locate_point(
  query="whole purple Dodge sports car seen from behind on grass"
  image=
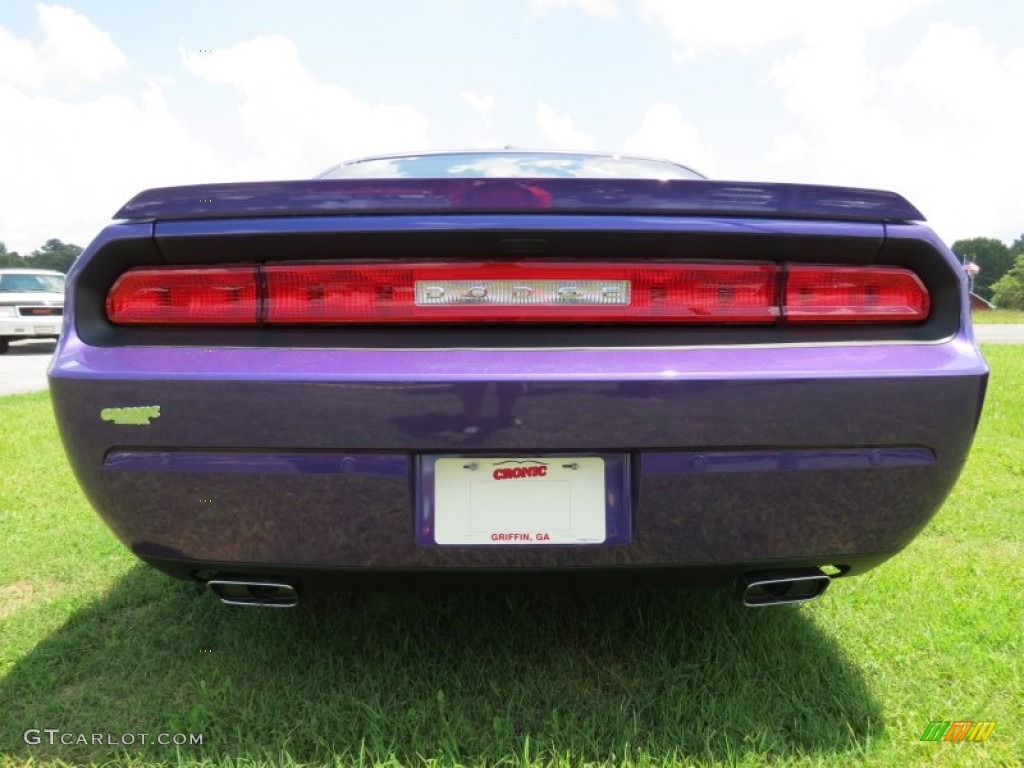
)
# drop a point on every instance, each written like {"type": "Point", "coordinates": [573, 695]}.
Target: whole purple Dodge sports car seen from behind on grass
{"type": "Point", "coordinates": [523, 366]}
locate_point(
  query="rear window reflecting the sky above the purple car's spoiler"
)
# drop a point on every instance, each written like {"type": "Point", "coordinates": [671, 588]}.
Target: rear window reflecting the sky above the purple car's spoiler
{"type": "Point", "coordinates": [511, 165]}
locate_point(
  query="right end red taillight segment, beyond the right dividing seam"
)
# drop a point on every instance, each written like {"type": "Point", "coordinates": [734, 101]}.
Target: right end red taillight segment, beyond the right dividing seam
{"type": "Point", "coordinates": [872, 294]}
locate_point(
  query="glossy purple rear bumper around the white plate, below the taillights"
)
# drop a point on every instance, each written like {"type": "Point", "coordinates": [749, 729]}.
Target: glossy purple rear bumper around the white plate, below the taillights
{"type": "Point", "coordinates": [272, 461]}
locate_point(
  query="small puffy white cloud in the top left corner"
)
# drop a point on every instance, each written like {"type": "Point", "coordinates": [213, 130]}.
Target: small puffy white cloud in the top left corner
{"type": "Point", "coordinates": [73, 52]}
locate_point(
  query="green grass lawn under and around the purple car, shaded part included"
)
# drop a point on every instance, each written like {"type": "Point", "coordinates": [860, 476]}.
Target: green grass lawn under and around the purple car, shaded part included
{"type": "Point", "coordinates": [93, 643]}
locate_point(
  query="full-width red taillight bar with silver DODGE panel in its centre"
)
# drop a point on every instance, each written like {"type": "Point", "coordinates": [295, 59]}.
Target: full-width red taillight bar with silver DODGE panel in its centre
{"type": "Point", "coordinates": [516, 292]}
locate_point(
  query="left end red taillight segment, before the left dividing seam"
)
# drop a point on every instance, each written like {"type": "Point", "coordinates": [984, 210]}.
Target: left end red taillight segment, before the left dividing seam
{"type": "Point", "coordinates": [186, 296]}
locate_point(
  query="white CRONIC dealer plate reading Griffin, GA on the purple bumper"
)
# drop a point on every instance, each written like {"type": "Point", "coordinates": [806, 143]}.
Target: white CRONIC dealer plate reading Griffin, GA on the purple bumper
{"type": "Point", "coordinates": [520, 502]}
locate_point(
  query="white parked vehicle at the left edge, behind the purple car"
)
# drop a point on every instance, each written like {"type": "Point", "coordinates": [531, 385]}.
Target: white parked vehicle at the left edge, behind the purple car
{"type": "Point", "coordinates": [31, 306]}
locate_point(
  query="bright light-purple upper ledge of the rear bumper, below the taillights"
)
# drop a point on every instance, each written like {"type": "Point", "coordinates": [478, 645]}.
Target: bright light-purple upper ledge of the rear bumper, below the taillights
{"type": "Point", "coordinates": [77, 361]}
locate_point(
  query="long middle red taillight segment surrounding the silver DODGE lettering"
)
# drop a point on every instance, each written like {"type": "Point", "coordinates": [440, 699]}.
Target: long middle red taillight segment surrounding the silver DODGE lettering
{"type": "Point", "coordinates": [522, 292]}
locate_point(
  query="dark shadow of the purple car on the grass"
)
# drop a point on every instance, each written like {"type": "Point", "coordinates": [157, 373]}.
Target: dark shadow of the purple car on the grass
{"type": "Point", "coordinates": [475, 678]}
